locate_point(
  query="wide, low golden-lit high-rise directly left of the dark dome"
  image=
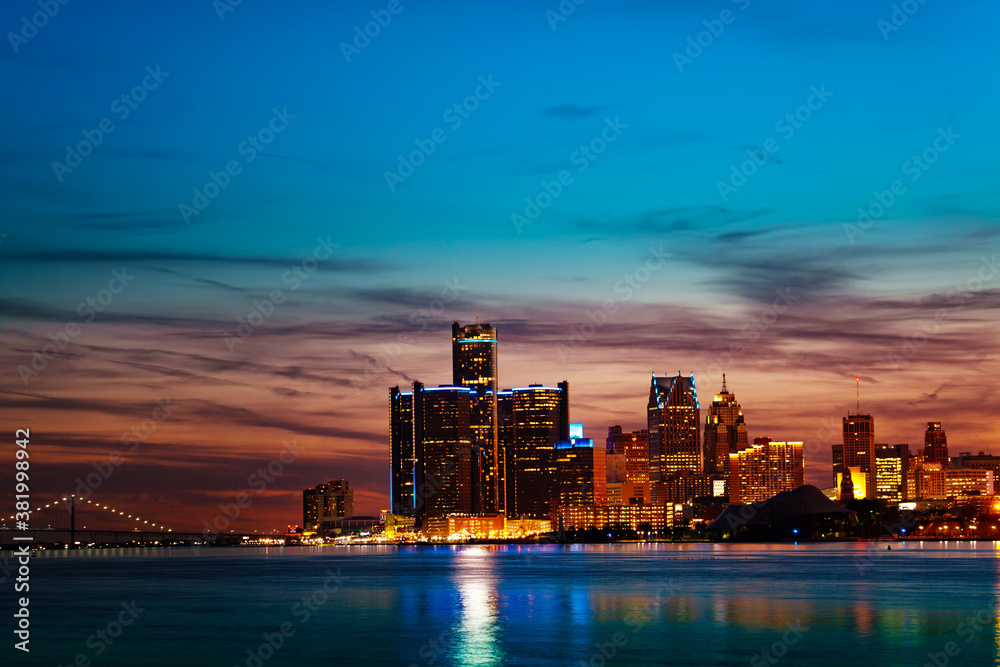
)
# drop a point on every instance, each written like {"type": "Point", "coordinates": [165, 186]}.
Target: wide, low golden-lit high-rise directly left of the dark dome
{"type": "Point", "coordinates": [764, 469]}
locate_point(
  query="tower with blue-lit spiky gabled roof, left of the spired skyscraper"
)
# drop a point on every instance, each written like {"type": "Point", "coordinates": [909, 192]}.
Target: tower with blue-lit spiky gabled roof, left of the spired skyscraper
{"type": "Point", "coordinates": [674, 418]}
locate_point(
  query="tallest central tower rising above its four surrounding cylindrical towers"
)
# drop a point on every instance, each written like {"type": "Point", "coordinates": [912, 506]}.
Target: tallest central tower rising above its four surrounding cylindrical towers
{"type": "Point", "coordinates": [474, 365]}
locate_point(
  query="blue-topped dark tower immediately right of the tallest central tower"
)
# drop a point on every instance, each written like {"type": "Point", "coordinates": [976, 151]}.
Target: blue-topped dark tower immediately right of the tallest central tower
{"type": "Point", "coordinates": [539, 419]}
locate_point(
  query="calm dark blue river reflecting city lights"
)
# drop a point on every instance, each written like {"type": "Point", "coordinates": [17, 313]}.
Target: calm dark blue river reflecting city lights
{"type": "Point", "coordinates": [544, 605]}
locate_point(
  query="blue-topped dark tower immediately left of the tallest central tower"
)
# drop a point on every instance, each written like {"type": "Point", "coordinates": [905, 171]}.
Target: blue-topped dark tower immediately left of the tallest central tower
{"type": "Point", "coordinates": [442, 436]}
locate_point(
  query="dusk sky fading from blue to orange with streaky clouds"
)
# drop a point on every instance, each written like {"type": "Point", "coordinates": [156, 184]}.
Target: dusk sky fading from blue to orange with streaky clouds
{"type": "Point", "coordinates": [585, 169]}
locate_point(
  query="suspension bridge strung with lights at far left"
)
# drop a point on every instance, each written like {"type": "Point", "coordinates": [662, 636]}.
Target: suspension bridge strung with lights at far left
{"type": "Point", "coordinates": [73, 521]}
